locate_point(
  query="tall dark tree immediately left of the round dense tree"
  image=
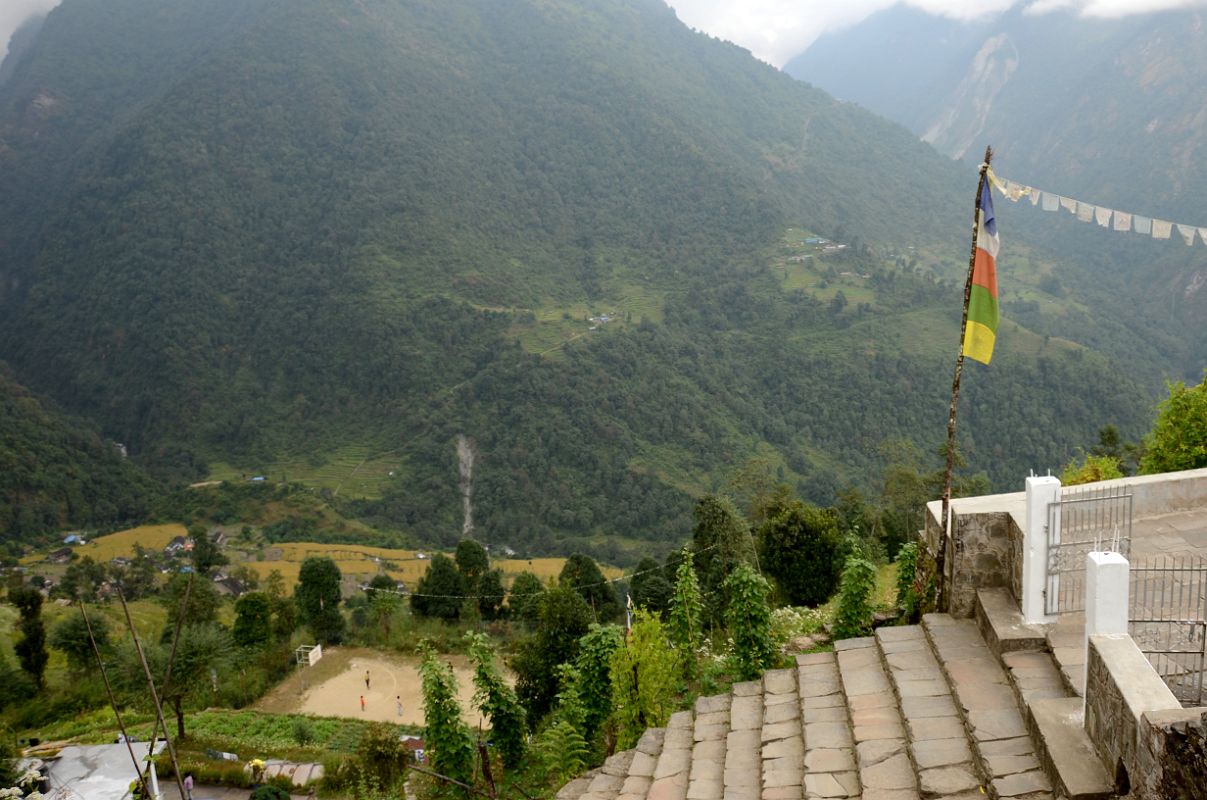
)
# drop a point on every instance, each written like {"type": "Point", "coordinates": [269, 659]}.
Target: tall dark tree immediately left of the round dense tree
{"type": "Point", "coordinates": [721, 541]}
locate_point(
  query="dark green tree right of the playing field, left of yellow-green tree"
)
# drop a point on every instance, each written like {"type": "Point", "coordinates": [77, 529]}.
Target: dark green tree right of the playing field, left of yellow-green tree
{"type": "Point", "coordinates": [565, 618]}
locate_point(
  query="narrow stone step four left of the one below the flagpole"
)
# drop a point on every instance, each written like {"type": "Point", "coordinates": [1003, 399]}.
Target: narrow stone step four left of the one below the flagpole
{"type": "Point", "coordinates": [783, 738]}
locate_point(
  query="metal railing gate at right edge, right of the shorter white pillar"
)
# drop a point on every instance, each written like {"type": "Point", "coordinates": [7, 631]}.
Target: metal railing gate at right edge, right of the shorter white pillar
{"type": "Point", "coordinates": [1169, 623]}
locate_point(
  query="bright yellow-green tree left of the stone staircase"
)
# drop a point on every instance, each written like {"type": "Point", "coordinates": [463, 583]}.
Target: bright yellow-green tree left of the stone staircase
{"type": "Point", "coordinates": [644, 680]}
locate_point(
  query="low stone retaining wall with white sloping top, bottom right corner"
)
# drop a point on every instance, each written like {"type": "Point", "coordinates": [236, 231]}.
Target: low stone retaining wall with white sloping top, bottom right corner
{"type": "Point", "coordinates": [1139, 728]}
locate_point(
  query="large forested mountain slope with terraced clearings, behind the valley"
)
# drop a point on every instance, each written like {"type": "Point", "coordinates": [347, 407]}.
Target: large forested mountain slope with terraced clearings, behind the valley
{"type": "Point", "coordinates": [244, 230]}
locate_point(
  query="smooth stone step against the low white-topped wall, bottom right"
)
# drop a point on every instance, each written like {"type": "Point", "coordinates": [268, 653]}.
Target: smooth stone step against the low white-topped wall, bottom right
{"type": "Point", "coordinates": [1066, 750]}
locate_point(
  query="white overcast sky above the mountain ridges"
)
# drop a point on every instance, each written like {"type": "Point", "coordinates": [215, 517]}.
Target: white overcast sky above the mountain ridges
{"type": "Point", "coordinates": [774, 31]}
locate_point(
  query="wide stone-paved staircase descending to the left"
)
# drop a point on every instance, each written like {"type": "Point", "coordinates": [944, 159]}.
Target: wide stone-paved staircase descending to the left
{"type": "Point", "coordinates": [924, 713]}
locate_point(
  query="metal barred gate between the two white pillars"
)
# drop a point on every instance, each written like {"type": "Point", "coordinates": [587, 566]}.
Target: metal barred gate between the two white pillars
{"type": "Point", "coordinates": [1082, 522]}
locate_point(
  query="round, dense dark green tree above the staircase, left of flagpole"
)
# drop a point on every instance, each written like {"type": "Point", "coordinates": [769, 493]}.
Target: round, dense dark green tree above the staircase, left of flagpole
{"type": "Point", "coordinates": [802, 548]}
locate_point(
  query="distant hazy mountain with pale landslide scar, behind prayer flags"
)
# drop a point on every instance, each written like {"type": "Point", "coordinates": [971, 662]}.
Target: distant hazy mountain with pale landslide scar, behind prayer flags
{"type": "Point", "coordinates": [1109, 112]}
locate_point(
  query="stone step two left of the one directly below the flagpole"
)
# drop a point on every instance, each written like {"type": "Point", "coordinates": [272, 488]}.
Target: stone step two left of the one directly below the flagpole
{"type": "Point", "coordinates": [877, 729]}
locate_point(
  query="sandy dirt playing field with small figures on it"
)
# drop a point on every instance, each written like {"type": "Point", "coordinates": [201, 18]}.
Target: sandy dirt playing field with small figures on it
{"type": "Point", "coordinates": [334, 688]}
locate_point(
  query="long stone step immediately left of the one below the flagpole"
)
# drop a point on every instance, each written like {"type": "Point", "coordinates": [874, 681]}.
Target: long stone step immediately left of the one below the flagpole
{"type": "Point", "coordinates": [938, 741]}
